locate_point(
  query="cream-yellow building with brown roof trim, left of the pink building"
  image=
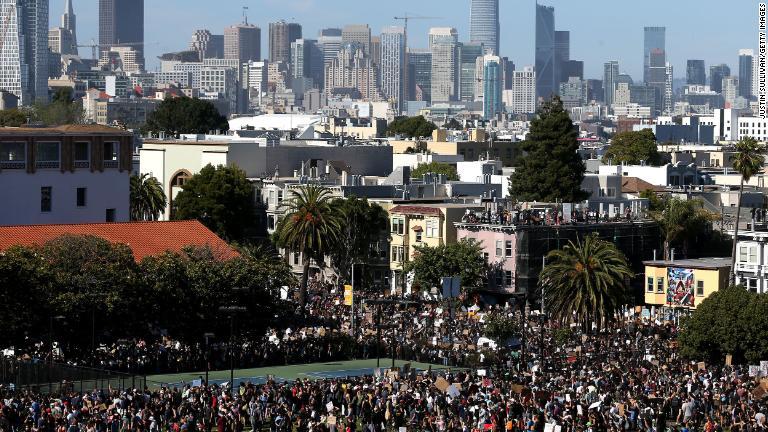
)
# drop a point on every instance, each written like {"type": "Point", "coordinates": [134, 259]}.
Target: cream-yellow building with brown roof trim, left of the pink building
{"type": "Point", "coordinates": [420, 225]}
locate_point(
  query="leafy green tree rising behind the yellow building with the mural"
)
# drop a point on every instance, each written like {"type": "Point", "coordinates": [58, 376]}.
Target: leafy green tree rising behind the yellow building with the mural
{"type": "Point", "coordinates": [681, 222]}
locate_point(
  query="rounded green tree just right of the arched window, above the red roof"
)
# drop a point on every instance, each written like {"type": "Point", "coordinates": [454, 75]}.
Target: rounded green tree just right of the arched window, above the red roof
{"type": "Point", "coordinates": [221, 198]}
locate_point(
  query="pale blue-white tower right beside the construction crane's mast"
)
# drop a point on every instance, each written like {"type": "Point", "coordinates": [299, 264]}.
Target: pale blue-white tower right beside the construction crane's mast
{"type": "Point", "coordinates": [393, 65]}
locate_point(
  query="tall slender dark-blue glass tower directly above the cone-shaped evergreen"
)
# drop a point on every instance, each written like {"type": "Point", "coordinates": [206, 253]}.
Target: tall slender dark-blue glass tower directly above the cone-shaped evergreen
{"type": "Point", "coordinates": [546, 80]}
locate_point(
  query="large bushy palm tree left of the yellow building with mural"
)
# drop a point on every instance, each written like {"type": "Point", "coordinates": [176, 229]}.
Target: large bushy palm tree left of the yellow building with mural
{"type": "Point", "coordinates": [585, 282]}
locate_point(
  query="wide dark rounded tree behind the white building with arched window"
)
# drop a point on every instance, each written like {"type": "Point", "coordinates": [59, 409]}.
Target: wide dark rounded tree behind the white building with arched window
{"type": "Point", "coordinates": [185, 115]}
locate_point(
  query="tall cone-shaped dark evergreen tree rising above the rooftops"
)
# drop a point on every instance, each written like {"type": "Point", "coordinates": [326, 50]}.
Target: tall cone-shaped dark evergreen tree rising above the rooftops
{"type": "Point", "coordinates": [550, 168]}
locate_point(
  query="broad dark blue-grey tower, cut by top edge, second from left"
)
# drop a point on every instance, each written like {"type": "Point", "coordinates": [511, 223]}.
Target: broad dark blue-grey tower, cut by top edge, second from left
{"type": "Point", "coordinates": [121, 22]}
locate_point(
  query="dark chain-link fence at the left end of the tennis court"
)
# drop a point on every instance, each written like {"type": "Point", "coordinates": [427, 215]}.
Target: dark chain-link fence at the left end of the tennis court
{"type": "Point", "coordinates": [57, 378]}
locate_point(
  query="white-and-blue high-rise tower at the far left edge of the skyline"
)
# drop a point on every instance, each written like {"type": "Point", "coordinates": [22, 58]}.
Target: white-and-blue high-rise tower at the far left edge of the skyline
{"type": "Point", "coordinates": [24, 49]}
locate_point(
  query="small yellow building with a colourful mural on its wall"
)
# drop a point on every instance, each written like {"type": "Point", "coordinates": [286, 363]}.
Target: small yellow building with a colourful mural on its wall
{"type": "Point", "coordinates": [684, 284]}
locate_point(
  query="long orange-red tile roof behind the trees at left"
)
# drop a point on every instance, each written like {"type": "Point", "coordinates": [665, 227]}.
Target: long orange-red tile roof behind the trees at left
{"type": "Point", "coordinates": [144, 238]}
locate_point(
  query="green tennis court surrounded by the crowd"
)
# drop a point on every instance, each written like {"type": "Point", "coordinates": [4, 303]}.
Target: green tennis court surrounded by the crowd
{"type": "Point", "coordinates": [285, 373]}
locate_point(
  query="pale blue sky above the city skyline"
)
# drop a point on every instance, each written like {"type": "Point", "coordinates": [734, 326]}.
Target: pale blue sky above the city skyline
{"type": "Point", "coordinates": [601, 30]}
